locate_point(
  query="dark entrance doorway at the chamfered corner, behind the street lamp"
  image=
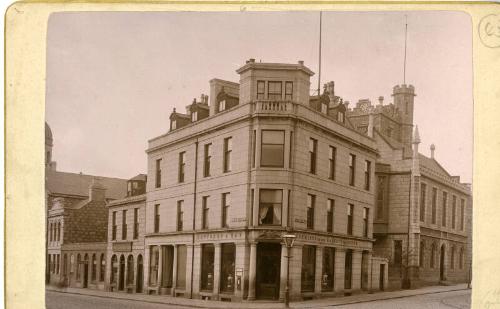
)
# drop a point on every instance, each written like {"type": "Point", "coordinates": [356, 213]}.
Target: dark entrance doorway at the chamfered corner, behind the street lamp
{"type": "Point", "coordinates": [268, 271]}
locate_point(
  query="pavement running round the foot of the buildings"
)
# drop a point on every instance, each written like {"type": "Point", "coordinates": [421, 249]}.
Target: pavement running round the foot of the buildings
{"type": "Point", "coordinates": [316, 303]}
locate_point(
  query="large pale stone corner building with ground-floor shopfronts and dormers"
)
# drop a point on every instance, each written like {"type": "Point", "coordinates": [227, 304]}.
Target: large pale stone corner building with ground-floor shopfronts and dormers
{"type": "Point", "coordinates": [233, 174]}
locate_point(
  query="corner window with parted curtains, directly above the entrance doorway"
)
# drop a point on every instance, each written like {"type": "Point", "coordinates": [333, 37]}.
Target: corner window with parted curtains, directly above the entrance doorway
{"type": "Point", "coordinates": [270, 205]}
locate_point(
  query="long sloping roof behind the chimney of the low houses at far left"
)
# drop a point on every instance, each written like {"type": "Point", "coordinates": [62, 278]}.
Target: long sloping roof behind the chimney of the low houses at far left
{"type": "Point", "coordinates": [78, 184]}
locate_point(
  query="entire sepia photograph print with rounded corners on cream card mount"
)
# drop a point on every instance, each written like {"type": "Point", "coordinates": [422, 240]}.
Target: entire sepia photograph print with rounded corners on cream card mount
{"type": "Point", "coordinates": [268, 159]}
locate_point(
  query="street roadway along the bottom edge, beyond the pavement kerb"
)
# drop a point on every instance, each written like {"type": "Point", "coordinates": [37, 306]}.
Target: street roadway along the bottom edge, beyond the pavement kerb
{"type": "Point", "coordinates": [454, 299]}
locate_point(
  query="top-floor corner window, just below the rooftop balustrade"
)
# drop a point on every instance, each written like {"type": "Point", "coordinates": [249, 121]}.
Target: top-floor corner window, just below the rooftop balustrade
{"type": "Point", "coordinates": [272, 148]}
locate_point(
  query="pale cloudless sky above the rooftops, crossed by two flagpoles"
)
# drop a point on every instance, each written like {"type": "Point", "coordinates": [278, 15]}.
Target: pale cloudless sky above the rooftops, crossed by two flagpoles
{"type": "Point", "coordinates": [114, 78]}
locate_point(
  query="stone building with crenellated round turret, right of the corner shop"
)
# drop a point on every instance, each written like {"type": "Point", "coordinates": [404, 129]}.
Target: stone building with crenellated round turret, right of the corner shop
{"type": "Point", "coordinates": [423, 215]}
